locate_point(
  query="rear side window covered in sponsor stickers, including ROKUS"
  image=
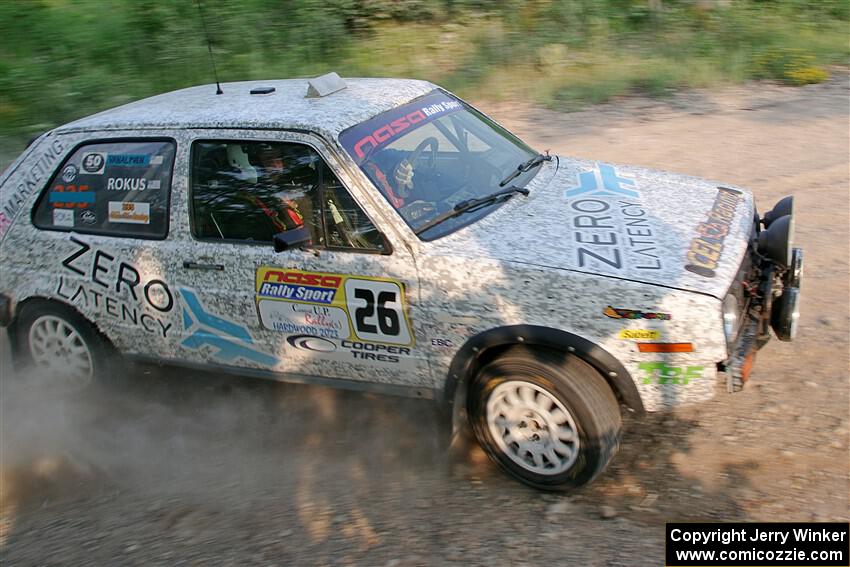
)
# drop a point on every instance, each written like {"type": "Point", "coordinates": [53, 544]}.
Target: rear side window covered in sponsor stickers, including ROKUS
{"type": "Point", "coordinates": [111, 188]}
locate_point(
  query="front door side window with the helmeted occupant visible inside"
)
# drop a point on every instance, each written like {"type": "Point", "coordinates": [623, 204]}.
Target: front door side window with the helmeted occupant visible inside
{"type": "Point", "coordinates": [248, 191]}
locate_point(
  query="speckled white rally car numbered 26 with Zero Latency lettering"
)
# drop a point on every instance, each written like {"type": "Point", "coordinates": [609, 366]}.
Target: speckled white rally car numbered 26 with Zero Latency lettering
{"type": "Point", "coordinates": [384, 235]}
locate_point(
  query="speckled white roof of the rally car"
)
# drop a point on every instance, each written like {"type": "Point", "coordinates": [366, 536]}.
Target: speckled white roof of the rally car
{"type": "Point", "coordinates": [285, 108]}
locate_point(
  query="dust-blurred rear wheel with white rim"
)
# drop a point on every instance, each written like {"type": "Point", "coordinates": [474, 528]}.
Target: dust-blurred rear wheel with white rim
{"type": "Point", "coordinates": [64, 346]}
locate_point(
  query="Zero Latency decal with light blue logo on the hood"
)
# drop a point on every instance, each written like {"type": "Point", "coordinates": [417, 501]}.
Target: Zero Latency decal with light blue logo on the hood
{"type": "Point", "coordinates": [611, 228]}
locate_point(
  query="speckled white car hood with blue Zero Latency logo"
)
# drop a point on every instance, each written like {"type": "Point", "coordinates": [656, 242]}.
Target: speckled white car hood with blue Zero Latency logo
{"type": "Point", "coordinates": [621, 221]}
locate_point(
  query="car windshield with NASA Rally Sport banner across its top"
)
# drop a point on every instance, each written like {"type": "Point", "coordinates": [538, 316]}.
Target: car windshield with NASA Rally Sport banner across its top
{"type": "Point", "coordinates": [427, 156]}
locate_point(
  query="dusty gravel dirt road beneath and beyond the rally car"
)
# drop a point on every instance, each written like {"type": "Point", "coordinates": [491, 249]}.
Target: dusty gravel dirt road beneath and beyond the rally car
{"type": "Point", "coordinates": [195, 470]}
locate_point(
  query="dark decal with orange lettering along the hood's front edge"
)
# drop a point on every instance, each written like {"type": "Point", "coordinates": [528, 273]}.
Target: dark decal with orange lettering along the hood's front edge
{"type": "Point", "coordinates": [704, 253]}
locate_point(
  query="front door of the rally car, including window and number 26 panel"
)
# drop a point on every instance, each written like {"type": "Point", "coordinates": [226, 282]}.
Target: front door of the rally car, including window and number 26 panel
{"type": "Point", "coordinates": [338, 304]}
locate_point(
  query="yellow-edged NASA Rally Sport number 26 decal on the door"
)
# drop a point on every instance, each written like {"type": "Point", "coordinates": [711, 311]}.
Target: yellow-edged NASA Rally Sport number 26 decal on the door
{"type": "Point", "coordinates": [333, 306]}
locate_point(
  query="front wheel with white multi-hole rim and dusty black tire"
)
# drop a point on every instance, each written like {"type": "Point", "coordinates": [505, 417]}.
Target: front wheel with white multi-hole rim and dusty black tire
{"type": "Point", "coordinates": [550, 420]}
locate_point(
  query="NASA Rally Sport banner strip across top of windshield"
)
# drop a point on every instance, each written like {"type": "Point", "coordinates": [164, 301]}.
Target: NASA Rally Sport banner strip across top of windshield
{"type": "Point", "coordinates": [362, 140]}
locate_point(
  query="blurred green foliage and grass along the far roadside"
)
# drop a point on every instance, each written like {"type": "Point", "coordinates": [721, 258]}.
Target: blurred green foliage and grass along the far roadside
{"type": "Point", "coordinates": [62, 59]}
